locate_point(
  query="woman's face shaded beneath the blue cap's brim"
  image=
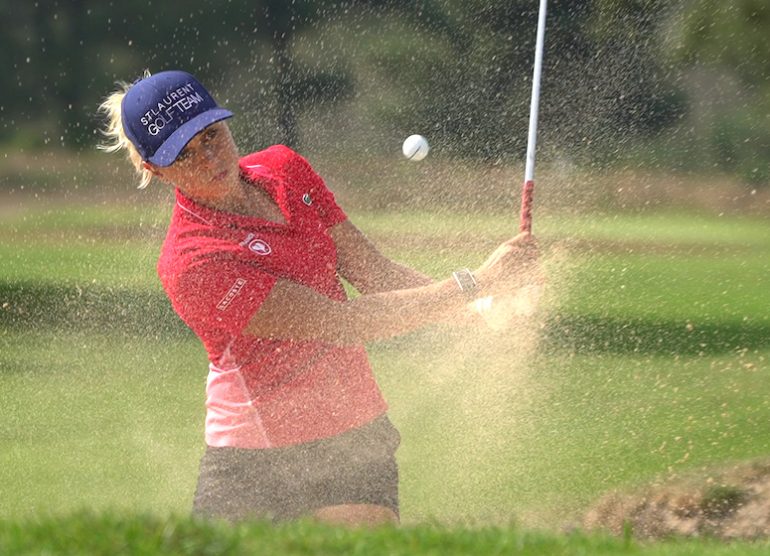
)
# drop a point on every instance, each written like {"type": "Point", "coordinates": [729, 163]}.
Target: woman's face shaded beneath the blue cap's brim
{"type": "Point", "coordinates": [208, 161]}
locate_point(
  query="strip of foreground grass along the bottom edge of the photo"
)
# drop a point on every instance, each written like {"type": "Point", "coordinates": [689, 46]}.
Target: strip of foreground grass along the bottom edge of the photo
{"type": "Point", "coordinates": [109, 534]}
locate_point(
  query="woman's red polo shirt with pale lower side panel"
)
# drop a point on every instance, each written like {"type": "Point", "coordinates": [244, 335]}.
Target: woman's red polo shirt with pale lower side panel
{"type": "Point", "coordinates": [217, 268]}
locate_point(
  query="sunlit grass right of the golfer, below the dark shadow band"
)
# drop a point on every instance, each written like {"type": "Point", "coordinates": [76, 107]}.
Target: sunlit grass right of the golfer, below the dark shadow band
{"type": "Point", "coordinates": [538, 439]}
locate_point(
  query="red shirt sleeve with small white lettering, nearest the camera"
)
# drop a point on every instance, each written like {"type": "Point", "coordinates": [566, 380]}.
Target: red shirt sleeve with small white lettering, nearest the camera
{"type": "Point", "coordinates": [222, 295]}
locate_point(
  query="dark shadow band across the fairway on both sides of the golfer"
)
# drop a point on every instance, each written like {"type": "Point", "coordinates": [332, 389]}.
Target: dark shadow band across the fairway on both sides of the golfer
{"type": "Point", "coordinates": [143, 313]}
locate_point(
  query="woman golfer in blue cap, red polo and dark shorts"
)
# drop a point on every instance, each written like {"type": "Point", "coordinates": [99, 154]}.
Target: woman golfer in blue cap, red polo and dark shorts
{"type": "Point", "coordinates": [295, 423]}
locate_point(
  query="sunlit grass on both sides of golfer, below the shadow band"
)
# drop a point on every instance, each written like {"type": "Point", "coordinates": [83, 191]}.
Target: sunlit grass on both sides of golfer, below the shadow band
{"type": "Point", "coordinates": [89, 417]}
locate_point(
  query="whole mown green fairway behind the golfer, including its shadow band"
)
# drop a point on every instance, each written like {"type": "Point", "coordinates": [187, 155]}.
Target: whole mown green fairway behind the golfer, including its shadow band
{"type": "Point", "coordinates": [650, 361]}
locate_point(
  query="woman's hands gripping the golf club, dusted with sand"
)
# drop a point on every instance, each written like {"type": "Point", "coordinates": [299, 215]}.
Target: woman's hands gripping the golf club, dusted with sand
{"type": "Point", "coordinates": [511, 266]}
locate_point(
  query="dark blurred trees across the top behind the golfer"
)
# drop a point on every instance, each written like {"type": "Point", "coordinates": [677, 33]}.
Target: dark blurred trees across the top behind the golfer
{"type": "Point", "coordinates": [681, 84]}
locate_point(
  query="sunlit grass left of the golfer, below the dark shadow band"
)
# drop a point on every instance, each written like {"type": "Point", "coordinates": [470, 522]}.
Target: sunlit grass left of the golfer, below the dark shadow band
{"type": "Point", "coordinates": [89, 417]}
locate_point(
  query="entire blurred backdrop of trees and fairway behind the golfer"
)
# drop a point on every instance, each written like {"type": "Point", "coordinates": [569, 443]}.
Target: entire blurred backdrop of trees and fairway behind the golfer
{"type": "Point", "coordinates": [648, 359]}
